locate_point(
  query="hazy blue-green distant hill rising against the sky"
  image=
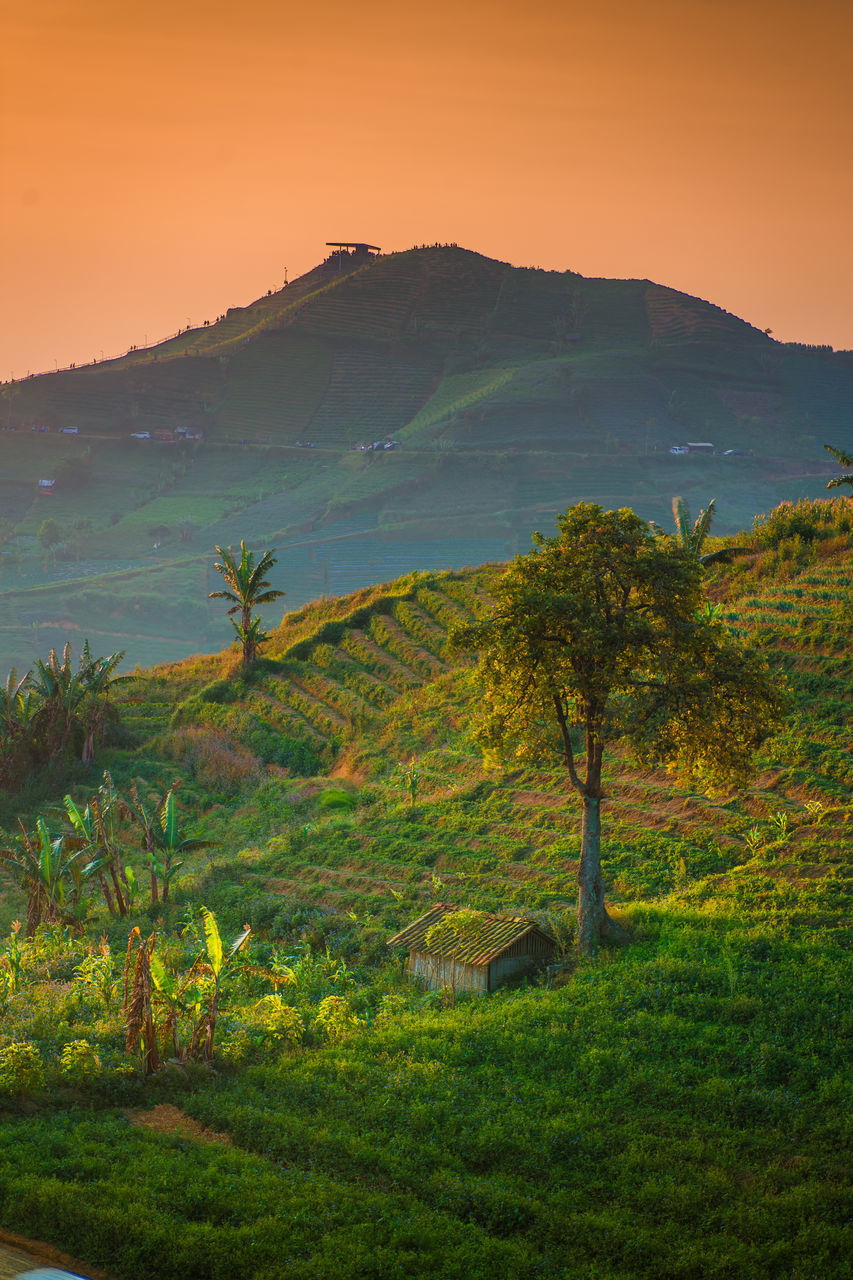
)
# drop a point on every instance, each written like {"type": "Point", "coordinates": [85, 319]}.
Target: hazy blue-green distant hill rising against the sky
{"type": "Point", "coordinates": [512, 392]}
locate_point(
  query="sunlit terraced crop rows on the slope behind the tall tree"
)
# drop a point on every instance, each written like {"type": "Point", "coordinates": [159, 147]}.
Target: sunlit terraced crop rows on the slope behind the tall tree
{"type": "Point", "coordinates": [350, 688]}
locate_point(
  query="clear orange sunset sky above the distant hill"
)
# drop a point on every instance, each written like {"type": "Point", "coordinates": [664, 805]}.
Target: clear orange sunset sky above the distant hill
{"type": "Point", "coordinates": [166, 161]}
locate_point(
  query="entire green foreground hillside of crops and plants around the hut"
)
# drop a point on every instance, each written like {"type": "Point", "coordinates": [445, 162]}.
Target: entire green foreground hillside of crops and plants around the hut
{"type": "Point", "coordinates": [678, 1108]}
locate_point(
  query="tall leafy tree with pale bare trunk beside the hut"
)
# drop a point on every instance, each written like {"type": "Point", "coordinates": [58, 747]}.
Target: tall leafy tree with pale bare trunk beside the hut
{"type": "Point", "coordinates": [603, 629]}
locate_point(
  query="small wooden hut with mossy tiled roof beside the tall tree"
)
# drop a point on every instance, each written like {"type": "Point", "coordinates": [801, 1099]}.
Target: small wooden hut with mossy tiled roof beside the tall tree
{"type": "Point", "coordinates": [467, 950]}
